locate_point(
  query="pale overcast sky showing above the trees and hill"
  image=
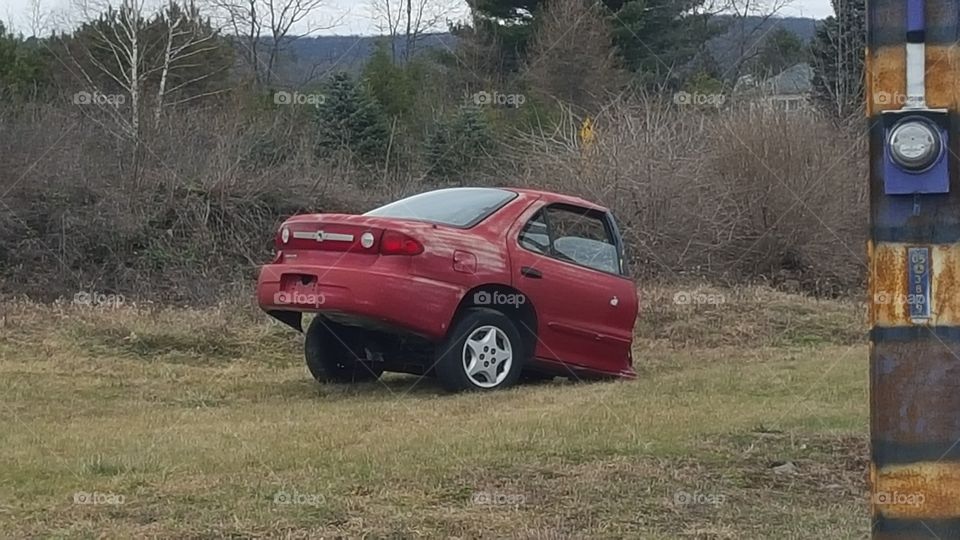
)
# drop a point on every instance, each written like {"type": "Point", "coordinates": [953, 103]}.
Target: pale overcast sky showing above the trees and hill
{"type": "Point", "coordinates": [355, 16]}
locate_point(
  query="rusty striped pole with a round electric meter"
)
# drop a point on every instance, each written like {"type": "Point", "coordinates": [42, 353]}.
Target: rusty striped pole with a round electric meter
{"type": "Point", "coordinates": [914, 250]}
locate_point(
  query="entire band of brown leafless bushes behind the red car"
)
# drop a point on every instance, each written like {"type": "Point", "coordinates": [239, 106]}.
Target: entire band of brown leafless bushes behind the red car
{"type": "Point", "coordinates": [731, 196]}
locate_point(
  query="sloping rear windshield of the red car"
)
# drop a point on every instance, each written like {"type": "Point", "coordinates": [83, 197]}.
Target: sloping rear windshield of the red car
{"type": "Point", "coordinates": [457, 207]}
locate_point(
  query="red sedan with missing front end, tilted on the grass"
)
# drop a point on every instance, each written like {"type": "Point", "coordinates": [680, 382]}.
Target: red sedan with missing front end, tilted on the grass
{"type": "Point", "coordinates": [475, 286]}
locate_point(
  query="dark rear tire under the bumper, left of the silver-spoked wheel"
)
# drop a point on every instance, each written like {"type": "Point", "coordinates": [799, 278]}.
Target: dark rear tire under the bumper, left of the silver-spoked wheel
{"type": "Point", "coordinates": [339, 354]}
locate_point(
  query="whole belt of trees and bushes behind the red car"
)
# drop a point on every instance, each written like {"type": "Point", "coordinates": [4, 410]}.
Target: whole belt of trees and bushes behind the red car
{"type": "Point", "coordinates": [141, 144]}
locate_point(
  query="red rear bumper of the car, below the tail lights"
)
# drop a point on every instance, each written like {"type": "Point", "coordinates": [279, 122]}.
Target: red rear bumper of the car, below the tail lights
{"type": "Point", "coordinates": [418, 305]}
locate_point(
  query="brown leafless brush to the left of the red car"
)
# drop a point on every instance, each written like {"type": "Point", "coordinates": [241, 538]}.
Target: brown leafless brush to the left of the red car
{"type": "Point", "coordinates": [197, 219]}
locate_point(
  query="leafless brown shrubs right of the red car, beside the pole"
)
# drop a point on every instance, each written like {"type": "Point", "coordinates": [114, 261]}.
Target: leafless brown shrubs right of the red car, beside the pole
{"type": "Point", "coordinates": [734, 195]}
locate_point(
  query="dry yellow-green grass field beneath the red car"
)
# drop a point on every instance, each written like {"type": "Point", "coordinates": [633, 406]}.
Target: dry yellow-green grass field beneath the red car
{"type": "Point", "coordinates": [748, 420]}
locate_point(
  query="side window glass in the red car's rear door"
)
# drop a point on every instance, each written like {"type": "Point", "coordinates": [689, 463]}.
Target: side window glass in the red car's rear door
{"type": "Point", "coordinates": [574, 235]}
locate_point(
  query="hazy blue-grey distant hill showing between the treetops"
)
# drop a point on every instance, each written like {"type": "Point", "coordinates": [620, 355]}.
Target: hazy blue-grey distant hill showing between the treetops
{"type": "Point", "coordinates": [310, 58]}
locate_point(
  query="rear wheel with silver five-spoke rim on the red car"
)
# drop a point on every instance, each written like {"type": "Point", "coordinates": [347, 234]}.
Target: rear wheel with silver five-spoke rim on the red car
{"type": "Point", "coordinates": [483, 351]}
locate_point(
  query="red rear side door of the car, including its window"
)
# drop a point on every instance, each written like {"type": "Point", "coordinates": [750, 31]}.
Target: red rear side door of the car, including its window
{"type": "Point", "coordinates": [567, 261]}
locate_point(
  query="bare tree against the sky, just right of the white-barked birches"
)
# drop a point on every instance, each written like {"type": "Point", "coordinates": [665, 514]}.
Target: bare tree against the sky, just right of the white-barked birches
{"type": "Point", "coordinates": [271, 24]}
